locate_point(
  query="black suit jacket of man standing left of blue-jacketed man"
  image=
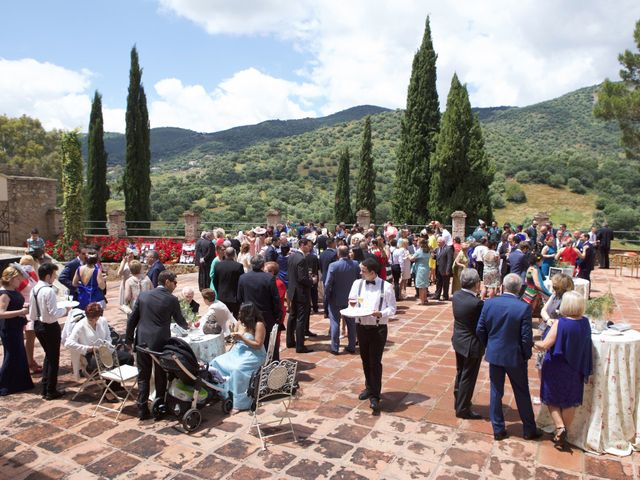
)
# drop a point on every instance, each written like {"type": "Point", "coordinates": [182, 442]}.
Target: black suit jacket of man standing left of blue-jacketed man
{"type": "Point", "coordinates": [466, 313]}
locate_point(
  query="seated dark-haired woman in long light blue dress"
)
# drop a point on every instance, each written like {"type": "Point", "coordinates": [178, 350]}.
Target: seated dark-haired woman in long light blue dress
{"type": "Point", "coordinates": [246, 356]}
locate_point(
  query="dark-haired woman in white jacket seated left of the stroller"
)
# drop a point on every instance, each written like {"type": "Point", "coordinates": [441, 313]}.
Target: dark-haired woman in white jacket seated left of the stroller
{"type": "Point", "coordinates": [93, 331]}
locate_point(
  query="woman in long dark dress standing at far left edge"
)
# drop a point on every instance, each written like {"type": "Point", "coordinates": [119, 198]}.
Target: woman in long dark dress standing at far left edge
{"type": "Point", "coordinates": [14, 373]}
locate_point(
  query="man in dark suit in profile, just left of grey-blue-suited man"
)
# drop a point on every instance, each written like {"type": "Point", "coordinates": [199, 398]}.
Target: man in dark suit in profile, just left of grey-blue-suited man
{"type": "Point", "coordinates": [299, 294]}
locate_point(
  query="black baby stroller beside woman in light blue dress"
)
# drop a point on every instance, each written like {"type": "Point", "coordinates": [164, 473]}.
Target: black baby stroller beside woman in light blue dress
{"type": "Point", "coordinates": [189, 388]}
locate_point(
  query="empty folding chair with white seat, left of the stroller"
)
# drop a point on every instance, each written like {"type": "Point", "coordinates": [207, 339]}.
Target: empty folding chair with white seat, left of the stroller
{"type": "Point", "coordinates": [110, 370]}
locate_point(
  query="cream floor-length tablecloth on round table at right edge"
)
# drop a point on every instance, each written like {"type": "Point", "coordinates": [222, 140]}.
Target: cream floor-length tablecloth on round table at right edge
{"type": "Point", "coordinates": [609, 419]}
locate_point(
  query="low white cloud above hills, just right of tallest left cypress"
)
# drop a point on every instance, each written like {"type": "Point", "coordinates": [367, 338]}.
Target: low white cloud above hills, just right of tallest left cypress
{"type": "Point", "coordinates": [250, 96]}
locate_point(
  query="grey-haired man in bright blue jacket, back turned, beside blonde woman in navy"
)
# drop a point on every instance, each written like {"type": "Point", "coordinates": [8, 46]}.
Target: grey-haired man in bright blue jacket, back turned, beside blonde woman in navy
{"type": "Point", "coordinates": [505, 329]}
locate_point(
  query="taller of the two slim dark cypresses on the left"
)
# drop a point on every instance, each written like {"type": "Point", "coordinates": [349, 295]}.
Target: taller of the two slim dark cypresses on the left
{"type": "Point", "coordinates": [136, 181]}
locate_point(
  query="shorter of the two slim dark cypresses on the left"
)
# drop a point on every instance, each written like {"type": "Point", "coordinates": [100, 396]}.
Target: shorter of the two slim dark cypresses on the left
{"type": "Point", "coordinates": [97, 188]}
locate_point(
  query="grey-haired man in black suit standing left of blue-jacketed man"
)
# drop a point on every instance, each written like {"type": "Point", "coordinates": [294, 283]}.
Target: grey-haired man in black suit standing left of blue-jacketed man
{"type": "Point", "coordinates": [466, 312]}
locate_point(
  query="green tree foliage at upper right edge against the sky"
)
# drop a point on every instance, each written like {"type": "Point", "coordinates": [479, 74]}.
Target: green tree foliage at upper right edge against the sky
{"type": "Point", "coordinates": [621, 101]}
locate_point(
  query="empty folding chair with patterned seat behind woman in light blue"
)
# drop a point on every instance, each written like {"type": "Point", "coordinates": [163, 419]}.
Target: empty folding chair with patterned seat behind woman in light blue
{"type": "Point", "coordinates": [276, 383]}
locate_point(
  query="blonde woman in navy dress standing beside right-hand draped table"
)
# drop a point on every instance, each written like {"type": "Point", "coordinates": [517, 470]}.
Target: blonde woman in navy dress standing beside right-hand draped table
{"type": "Point", "coordinates": [567, 363]}
